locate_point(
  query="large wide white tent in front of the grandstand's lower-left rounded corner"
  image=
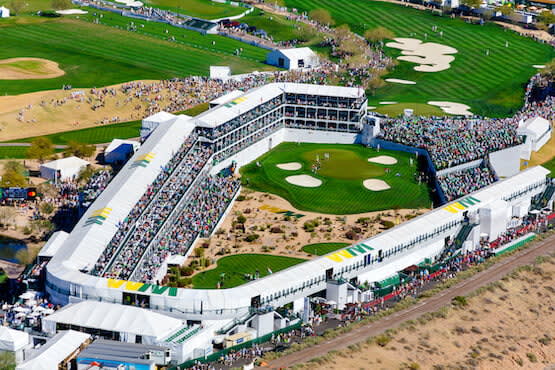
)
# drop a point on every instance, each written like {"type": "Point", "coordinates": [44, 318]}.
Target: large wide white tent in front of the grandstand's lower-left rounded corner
{"type": "Point", "coordinates": [129, 321]}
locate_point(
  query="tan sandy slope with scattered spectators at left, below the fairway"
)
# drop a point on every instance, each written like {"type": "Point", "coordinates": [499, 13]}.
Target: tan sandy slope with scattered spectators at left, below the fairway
{"type": "Point", "coordinates": [48, 112]}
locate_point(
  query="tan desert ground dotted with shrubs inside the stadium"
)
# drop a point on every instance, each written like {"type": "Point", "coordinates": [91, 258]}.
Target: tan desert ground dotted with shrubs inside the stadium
{"type": "Point", "coordinates": [260, 210]}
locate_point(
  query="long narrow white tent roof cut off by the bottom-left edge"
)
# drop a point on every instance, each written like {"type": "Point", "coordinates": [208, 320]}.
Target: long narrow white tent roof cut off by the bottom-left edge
{"type": "Point", "coordinates": [56, 350]}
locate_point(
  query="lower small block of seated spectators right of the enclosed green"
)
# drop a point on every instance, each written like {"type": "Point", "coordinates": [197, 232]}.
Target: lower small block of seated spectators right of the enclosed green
{"type": "Point", "coordinates": [458, 183]}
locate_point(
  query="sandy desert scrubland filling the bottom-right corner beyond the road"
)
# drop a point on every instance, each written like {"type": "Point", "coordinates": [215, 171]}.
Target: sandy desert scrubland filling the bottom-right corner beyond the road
{"type": "Point", "coordinates": [509, 326]}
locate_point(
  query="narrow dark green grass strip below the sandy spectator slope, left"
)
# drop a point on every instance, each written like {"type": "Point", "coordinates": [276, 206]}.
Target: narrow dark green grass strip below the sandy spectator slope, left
{"type": "Point", "coordinates": [93, 135]}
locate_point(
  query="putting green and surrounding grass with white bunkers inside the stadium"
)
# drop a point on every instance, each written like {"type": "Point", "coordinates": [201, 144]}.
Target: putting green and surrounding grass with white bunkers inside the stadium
{"type": "Point", "coordinates": [341, 191]}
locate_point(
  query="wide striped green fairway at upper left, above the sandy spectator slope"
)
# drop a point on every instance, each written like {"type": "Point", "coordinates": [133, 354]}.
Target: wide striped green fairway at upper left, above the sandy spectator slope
{"type": "Point", "coordinates": [98, 55]}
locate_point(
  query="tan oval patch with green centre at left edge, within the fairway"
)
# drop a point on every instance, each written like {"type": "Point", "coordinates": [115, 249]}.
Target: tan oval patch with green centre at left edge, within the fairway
{"type": "Point", "coordinates": [29, 69]}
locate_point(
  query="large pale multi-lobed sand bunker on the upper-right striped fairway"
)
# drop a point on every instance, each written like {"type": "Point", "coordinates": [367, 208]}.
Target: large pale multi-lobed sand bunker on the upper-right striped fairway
{"type": "Point", "coordinates": [431, 56]}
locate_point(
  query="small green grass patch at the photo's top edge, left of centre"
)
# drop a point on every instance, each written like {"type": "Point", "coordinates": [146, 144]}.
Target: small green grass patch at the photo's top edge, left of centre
{"type": "Point", "coordinates": [205, 9]}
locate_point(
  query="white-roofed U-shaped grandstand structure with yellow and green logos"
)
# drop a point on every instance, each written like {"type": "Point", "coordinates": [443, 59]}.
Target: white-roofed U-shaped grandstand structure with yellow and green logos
{"type": "Point", "coordinates": [105, 258]}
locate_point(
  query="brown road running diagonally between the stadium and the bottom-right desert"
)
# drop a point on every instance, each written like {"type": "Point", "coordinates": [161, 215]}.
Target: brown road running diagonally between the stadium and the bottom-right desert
{"type": "Point", "coordinates": [432, 304]}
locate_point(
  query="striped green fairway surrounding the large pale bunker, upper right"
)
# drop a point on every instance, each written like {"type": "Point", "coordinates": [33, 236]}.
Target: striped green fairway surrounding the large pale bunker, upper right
{"type": "Point", "coordinates": [491, 85]}
